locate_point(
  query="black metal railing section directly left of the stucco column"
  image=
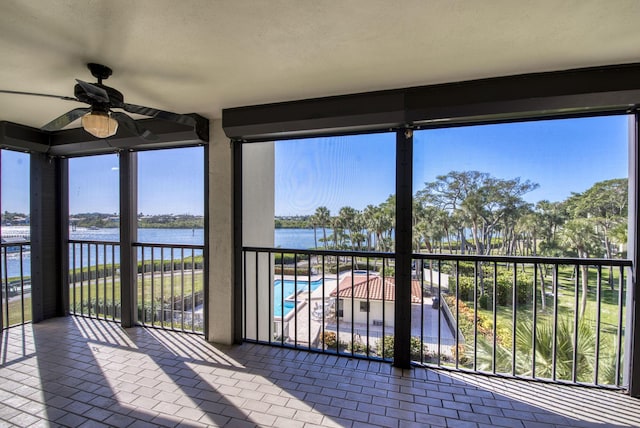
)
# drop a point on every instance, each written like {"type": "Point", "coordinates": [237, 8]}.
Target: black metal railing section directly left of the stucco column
{"type": "Point", "coordinates": [171, 286]}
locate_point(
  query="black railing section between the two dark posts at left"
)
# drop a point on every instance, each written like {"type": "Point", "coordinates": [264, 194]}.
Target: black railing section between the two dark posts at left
{"type": "Point", "coordinates": [94, 279]}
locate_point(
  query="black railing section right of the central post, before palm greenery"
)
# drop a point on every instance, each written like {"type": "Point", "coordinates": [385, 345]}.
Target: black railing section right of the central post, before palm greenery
{"type": "Point", "coordinates": [556, 319]}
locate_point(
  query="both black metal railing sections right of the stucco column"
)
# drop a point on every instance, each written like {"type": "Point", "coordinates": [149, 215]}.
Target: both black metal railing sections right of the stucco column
{"type": "Point", "coordinates": [552, 319]}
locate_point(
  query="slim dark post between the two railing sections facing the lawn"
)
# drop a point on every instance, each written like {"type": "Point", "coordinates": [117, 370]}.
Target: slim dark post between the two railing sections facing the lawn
{"type": "Point", "coordinates": [128, 235]}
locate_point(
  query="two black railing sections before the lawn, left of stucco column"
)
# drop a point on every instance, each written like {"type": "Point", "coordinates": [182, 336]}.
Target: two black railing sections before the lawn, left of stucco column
{"type": "Point", "coordinates": [169, 283]}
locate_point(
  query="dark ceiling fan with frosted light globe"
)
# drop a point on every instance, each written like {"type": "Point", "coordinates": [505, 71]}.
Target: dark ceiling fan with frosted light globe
{"type": "Point", "coordinates": [99, 119]}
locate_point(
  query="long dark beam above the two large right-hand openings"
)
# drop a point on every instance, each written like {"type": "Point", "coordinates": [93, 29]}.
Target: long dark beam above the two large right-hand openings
{"type": "Point", "coordinates": [571, 92]}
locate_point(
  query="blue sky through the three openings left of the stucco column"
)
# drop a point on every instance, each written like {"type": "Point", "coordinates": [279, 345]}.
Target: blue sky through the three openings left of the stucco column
{"type": "Point", "coordinates": [170, 182]}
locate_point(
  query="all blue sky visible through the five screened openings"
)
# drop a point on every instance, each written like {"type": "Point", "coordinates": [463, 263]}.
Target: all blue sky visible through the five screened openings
{"type": "Point", "coordinates": [562, 156]}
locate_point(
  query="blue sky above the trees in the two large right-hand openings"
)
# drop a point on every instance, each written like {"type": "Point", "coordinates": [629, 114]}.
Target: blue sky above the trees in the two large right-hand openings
{"type": "Point", "coordinates": [562, 156]}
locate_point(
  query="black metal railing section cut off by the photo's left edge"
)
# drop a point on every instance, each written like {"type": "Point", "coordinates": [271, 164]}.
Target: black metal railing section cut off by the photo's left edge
{"type": "Point", "coordinates": [15, 302]}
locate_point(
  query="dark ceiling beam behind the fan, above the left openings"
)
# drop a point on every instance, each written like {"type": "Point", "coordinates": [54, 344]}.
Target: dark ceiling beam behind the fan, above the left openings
{"type": "Point", "coordinates": [77, 142]}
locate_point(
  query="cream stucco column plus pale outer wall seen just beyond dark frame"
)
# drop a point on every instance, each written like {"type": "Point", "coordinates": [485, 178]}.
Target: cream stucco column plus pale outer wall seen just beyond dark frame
{"type": "Point", "coordinates": [258, 217]}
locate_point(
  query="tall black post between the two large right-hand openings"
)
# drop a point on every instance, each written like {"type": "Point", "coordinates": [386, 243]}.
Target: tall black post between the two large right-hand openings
{"type": "Point", "coordinates": [404, 204]}
